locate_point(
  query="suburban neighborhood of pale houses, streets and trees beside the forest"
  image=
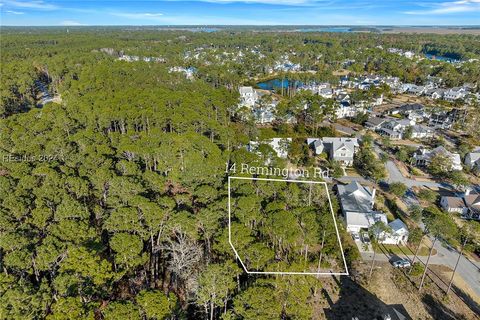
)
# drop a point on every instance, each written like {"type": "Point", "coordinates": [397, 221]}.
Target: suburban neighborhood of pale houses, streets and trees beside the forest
{"type": "Point", "coordinates": [396, 153]}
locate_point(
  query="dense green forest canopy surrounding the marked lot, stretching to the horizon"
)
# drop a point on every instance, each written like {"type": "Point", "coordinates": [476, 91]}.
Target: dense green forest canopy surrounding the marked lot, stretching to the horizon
{"type": "Point", "coordinates": [113, 200]}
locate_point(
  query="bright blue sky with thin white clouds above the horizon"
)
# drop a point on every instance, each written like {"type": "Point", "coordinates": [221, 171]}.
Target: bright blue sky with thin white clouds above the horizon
{"type": "Point", "coordinates": [246, 12]}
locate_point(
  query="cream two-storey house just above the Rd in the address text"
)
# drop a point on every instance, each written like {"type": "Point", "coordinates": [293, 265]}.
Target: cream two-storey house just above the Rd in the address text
{"type": "Point", "coordinates": [338, 149]}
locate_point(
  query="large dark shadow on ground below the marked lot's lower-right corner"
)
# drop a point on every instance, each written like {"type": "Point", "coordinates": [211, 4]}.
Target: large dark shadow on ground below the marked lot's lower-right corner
{"type": "Point", "coordinates": [355, 302]}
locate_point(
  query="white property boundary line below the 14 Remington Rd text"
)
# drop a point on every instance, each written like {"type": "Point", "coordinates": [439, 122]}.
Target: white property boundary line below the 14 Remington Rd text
{"type": "Point", "coordinates": [278, 272]}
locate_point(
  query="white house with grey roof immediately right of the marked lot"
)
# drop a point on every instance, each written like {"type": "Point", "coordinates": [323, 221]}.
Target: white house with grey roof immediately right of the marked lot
{"type": "Point", "coordinates": [356, 202]}
